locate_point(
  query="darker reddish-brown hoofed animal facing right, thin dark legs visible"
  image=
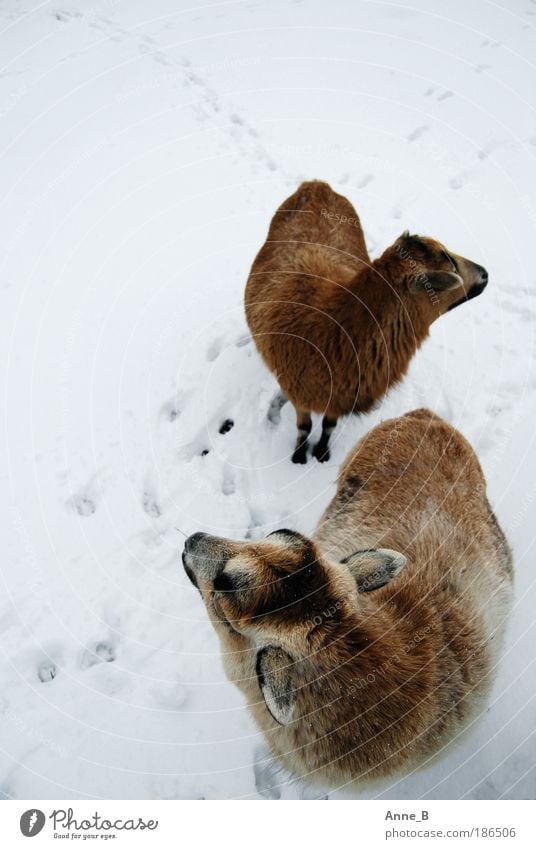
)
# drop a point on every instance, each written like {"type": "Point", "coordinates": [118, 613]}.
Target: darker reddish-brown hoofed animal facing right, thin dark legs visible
{"type": "Point", "coordinates": [335, 327]}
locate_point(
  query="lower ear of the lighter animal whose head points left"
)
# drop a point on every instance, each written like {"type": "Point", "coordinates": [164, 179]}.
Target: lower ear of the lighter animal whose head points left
{"type": "Point", "coordinates": [274, 674]}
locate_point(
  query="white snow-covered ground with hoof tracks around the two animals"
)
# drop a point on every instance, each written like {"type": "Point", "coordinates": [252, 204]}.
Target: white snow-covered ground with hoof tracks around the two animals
{"type": "Point", "coordinates": [144, 148]}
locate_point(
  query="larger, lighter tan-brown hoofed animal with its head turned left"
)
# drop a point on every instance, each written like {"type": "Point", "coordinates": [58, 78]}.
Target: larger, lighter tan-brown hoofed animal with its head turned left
{"type": "Point", "coordinates": [362, 653]}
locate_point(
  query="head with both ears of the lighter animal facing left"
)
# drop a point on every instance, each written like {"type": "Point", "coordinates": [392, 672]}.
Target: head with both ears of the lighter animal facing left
{"type": "Point", "coordinates": [285, 602]}
